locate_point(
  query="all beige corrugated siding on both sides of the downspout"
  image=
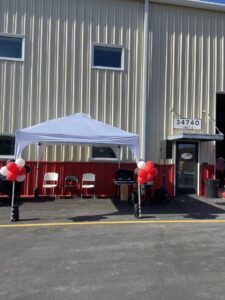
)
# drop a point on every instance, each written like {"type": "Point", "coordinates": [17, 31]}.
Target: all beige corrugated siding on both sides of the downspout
{"type": "Point", "coordinates": [186, 67]}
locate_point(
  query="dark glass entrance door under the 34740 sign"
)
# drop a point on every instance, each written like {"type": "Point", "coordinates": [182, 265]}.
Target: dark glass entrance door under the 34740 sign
{"type": "Point", "coordinates": [186, 167]}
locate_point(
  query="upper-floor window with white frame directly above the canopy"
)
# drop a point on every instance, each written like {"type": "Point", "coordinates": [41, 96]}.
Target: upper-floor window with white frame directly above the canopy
{"type": "Point", "coordinates": [108, 57]}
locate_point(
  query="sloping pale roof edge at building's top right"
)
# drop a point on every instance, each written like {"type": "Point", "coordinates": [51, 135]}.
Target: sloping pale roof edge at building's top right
{"type": "Point", "coordinates": [194, 4]}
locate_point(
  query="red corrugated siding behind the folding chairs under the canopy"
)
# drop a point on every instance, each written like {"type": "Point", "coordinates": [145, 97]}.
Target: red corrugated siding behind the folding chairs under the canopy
{"type": "Point", "coordinates": [105, 175]}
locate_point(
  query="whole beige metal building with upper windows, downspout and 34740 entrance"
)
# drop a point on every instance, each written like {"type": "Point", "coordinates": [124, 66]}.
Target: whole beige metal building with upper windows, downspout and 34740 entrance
{"type": "Point", "coordinates": [155, 68]}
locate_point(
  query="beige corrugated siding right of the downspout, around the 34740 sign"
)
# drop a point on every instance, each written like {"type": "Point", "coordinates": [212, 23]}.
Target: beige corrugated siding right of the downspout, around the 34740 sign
{"type": "Point", "coordinates": [186, 68]}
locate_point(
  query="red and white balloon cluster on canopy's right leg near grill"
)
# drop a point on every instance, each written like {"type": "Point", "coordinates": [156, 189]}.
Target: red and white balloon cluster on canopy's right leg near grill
{"type": "Point", "coordinates": [146, 171]}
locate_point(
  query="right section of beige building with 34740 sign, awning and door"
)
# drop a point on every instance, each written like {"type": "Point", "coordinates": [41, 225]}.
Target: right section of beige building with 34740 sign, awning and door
{"type": "Point", "coordinates": [186, 72]}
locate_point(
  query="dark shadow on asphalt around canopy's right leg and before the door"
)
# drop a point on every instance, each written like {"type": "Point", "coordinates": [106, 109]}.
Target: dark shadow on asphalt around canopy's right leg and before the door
{"type": "Point", "coordinates": [186, 206]}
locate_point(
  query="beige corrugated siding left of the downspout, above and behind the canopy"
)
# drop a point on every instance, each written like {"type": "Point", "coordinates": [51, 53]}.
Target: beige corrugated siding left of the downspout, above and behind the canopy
{"type": "Point", "coordinates": [56, 78]}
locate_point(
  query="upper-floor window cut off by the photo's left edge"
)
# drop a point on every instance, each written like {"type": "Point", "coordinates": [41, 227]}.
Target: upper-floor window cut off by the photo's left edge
{"type": "Point", "coordinates": [11, 47]}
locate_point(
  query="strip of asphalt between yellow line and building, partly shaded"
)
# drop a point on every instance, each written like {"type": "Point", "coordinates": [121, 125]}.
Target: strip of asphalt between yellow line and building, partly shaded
{"type": "Point", "coordinates": [83, 210]}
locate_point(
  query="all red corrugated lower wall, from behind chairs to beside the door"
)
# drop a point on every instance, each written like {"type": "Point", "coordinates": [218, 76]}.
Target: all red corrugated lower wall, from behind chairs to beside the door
{"type": "Point", "coordinates": [105, 173]}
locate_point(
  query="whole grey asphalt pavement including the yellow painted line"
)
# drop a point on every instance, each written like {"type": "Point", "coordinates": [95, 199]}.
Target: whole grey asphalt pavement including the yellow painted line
{"type": "Point", "coordinates": [96, 249]}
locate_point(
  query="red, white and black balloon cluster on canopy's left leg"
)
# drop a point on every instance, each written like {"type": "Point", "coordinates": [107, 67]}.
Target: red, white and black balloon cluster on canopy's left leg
{"type": "Point", "coordinates": [15, 170]}
